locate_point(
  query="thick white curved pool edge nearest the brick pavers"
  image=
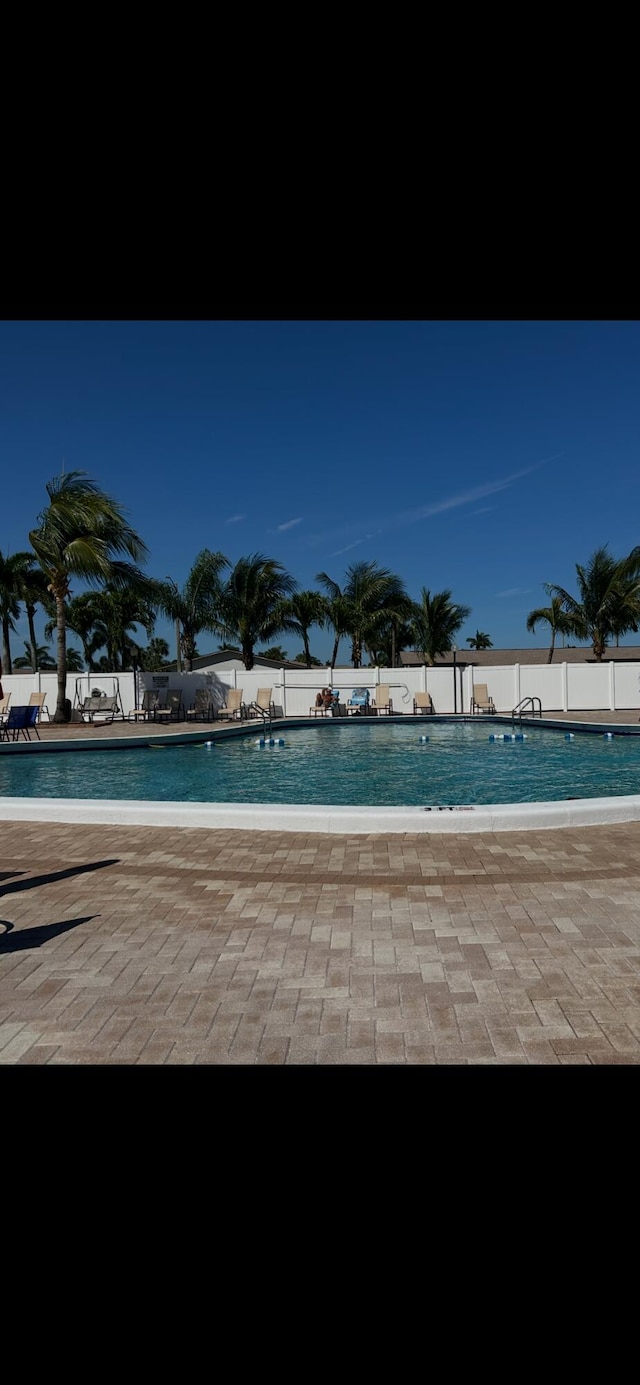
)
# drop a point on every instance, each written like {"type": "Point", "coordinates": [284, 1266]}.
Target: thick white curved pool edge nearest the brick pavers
{"type": "Point", "coordinates": [304, 818]}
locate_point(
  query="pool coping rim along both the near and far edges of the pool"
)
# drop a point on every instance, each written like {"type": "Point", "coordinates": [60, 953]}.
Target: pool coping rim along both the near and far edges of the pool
{"type": "Point", "coordinates": [318, 818]}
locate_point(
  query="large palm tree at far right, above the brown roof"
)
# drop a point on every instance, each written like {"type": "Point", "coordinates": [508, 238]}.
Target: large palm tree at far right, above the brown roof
{"type": "Point", "coordinates": [609, 599]}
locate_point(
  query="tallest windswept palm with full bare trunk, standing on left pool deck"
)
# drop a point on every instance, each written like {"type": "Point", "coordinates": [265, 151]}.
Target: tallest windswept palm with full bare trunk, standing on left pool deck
{"type": "Point", "coordinates": [82, 533]}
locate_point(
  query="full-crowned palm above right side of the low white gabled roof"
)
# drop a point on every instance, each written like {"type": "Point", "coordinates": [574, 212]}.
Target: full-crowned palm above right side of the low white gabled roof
{"type": "Point", "coordinates": [254, 605]}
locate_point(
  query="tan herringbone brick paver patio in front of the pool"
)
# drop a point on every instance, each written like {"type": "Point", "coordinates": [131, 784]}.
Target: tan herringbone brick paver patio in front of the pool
{"type": "Point", "coordinates": [190, 947]}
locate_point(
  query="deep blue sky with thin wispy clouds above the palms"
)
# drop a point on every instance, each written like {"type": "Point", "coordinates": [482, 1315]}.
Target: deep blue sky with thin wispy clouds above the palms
{"type": "Point", "coordinates": [486, 458]}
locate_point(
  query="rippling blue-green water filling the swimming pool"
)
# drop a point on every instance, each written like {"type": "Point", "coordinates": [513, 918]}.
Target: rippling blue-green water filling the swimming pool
{"type": "Point", "coordinates": [366, 765]}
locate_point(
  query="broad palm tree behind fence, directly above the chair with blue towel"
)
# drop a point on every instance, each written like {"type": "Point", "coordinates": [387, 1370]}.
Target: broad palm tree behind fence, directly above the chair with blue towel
{"type": "Point", "coordinates": [369, 600]}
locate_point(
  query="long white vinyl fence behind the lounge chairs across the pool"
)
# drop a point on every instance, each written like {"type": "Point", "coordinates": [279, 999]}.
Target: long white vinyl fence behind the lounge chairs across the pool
{"type": "Point", "coordinates": [570, 688]}
